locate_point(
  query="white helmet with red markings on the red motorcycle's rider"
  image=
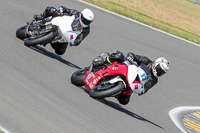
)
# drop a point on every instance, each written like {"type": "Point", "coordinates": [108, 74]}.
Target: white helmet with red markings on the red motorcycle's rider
{"type": "Point", "coordinates": [160, 66]}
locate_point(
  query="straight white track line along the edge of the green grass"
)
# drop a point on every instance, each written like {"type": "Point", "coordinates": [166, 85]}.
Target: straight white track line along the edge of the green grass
{"type": "Point", "coordinates": [140, 23]}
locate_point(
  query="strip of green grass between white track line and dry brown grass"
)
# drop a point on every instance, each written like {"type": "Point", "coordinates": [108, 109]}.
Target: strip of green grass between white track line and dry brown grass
{"type": "Point", "coordinates": [146, 19]}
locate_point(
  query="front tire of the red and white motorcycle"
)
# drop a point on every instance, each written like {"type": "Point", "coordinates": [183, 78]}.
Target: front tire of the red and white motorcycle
{"type": "Point", "coordinates": [97, 93]}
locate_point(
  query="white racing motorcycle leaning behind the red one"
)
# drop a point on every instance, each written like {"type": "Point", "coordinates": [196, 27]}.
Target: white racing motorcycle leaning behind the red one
{"type": "Point", "coordinates": [61, 29]}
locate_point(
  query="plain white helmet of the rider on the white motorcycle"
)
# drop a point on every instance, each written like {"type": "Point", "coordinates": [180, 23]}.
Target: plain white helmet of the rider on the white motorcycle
{"type": "Point", "coordinates": [86, 17]}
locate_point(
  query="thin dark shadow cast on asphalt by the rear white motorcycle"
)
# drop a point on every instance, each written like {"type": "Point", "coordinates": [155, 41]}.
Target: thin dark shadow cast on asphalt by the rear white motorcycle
{"type": "Point", "coordinates": [53, 56]}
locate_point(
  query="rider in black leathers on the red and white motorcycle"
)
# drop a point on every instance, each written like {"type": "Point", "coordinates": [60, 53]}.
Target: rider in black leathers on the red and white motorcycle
{"type": "Point", "coordinates": [157, 68]}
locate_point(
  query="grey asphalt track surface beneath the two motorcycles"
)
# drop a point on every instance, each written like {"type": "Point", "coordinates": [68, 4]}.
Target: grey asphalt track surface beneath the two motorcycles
{"type": "Point", "coordinates": [36, 95]}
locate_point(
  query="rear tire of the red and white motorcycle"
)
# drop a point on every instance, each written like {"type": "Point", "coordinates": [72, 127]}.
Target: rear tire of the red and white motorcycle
{"type": "Point", "coordinates": [78, 77]}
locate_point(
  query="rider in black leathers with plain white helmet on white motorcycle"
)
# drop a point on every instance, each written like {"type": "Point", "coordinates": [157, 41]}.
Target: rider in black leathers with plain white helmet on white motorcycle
{"type": "Point", "coordinates": [82, 19]}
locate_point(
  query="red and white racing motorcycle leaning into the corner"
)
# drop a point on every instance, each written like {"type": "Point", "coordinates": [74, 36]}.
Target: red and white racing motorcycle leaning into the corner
{"type": "Point", "coordinates": [112, 80]}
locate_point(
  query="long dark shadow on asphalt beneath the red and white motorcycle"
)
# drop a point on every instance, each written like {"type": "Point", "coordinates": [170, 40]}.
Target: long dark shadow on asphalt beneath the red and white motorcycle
{"type": "Point", "coordinates": [121, 109]}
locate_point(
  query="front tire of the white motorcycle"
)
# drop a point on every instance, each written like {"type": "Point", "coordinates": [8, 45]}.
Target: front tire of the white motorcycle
{"type": "Point", "coordinates": [34, 40]}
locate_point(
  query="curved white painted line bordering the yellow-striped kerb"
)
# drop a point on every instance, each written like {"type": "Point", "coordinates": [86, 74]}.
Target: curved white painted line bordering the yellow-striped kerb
{"type": "Point", "coordinates": [174, 115]}
